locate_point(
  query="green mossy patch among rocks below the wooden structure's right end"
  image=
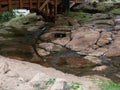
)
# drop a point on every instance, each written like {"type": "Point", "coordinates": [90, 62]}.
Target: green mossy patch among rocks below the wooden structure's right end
{"type": "Point", "coordinates": [81, 16]}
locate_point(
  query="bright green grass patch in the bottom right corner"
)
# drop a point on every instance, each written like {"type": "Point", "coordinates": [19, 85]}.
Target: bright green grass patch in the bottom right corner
{"type": "Point", "coordinates": [110, 86]}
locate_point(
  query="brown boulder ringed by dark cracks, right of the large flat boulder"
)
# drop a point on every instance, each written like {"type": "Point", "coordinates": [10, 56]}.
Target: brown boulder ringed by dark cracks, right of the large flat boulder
{"type": "Point", "coordinates": [106, 38]}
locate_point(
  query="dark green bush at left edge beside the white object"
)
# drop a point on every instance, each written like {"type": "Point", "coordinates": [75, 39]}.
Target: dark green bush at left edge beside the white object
{"type": "Point", "coordinates": [7, 15]}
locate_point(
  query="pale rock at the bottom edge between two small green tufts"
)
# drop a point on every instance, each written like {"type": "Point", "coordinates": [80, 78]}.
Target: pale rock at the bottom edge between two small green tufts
{"type": "Point", "coordinates": [59, 84]}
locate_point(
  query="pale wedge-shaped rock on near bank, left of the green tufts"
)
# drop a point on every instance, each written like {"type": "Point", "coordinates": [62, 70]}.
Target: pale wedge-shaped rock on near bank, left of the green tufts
{"type": "Point", "coordinates": [38, 78]}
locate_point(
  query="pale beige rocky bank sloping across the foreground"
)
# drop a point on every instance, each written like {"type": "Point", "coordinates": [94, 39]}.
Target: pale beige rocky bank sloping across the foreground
{"type": "Point", "coordinates": [20, 75]}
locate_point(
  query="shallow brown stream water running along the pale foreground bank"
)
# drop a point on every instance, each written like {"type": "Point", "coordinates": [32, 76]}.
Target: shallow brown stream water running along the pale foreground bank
{"type": "Point", "coordinates": [19, 47]}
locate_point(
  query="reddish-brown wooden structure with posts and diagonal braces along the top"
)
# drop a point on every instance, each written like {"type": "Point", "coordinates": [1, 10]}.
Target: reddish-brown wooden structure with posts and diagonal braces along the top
{"type": "Point", "coordinates": [46, 7]}
